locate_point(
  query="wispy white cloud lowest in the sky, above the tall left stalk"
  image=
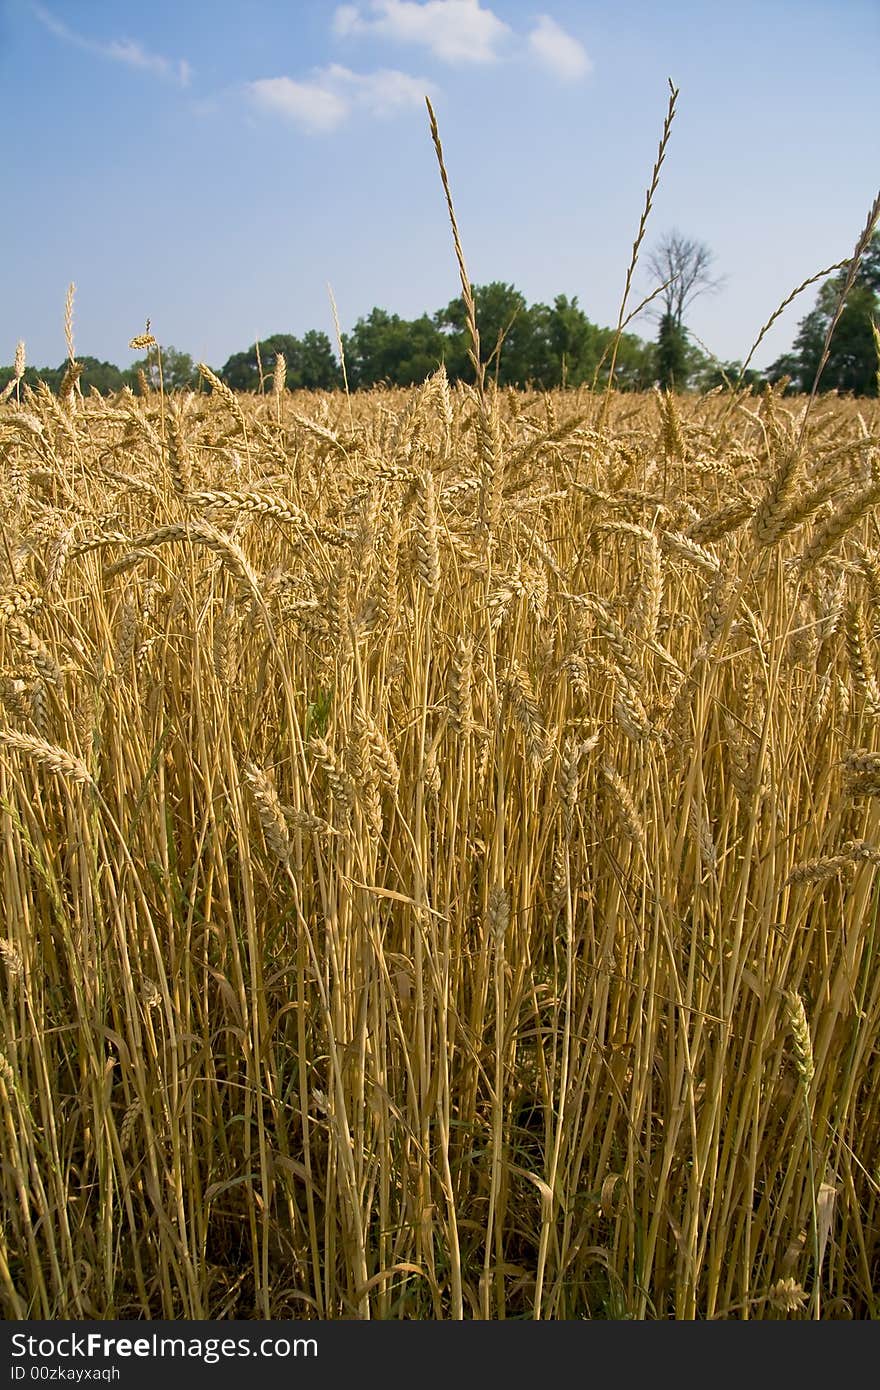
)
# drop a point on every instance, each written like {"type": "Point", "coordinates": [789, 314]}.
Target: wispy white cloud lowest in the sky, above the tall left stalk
{"type": "Point", "coordinates": [332, 95]}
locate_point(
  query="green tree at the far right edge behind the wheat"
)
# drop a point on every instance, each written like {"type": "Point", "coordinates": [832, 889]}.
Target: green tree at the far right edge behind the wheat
{"type": "Point", "coordinates": [853, 355]}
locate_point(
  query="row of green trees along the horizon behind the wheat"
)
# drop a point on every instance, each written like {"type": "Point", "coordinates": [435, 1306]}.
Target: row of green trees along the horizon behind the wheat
{"type": "Point", "coordinates": [533, 345]}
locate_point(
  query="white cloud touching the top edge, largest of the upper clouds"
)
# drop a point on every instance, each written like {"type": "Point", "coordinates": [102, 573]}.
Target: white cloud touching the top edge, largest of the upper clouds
{"type": "Point", "coordinates": [457, 31]}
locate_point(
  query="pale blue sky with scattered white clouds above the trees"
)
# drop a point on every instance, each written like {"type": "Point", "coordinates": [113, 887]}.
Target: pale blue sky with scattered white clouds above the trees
{"type": "Point", "coordinates": [215, 166]}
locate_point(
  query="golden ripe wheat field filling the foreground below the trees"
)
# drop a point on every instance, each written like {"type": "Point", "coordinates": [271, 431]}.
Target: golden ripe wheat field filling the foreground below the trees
{"type": "Point", "coordinates": [440, 844]}
